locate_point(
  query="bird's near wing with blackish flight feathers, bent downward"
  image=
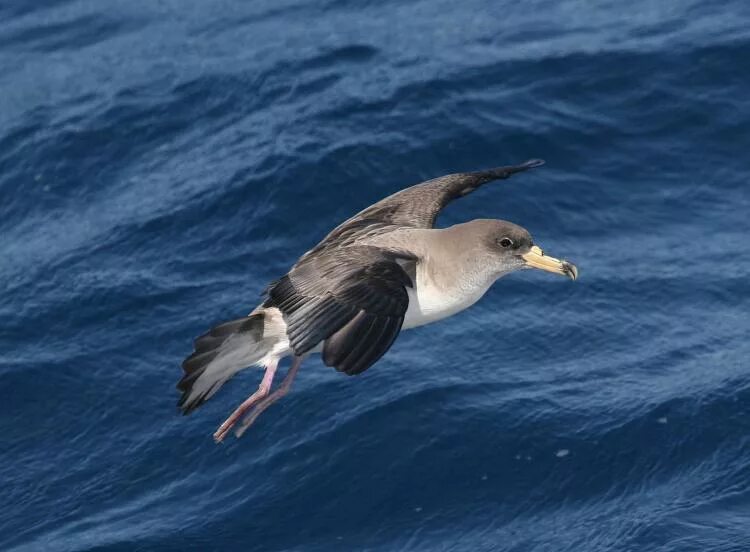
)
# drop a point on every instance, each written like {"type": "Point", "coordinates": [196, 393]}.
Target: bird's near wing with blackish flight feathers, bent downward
{"type": "Point", "coordinates": [353, 299]}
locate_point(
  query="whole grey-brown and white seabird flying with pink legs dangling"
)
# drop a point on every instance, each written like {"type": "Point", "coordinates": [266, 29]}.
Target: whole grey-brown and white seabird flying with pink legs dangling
{"type": "Point", "coordinates": [384, 270]}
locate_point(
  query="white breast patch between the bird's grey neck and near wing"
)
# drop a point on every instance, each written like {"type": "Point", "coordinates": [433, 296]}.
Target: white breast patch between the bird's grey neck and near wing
{"type": "Point", "coordinates": [429, 302]}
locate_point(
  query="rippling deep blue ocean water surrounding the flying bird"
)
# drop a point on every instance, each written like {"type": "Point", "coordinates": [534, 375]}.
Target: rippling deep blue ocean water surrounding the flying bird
{"type": "Point", "coordinates": [160, 162]}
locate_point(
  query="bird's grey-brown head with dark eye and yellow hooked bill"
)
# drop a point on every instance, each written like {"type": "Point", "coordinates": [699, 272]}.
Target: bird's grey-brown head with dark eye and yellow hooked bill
{"type": "Point", "coordinates": [512, 248]}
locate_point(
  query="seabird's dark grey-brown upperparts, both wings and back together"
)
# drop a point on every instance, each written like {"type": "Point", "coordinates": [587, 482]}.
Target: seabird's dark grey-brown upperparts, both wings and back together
{"type": "Point", "coordinates": [353, 296]}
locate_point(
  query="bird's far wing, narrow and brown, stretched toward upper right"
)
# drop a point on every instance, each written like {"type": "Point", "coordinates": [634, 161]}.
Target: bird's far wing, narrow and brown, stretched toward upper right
{"type": "Point", "coordinates": [419, 205]}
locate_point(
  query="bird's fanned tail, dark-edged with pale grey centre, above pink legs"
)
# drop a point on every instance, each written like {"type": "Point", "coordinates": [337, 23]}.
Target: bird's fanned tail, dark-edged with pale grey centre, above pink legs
{"type": "Point", "coordinates": [222, 352]}
